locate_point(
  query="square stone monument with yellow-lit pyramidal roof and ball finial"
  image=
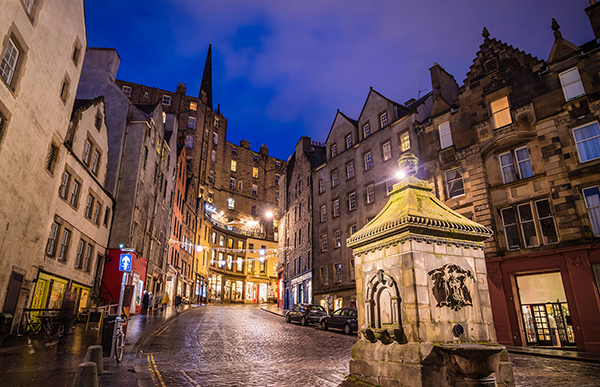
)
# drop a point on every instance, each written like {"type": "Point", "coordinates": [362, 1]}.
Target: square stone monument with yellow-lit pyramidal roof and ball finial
{"type": "Point", "coordinates": [424, 309]}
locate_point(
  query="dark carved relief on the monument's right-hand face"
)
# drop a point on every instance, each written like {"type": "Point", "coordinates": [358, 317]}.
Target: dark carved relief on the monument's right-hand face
{"type": "Point", "coordinates": [451, 286]}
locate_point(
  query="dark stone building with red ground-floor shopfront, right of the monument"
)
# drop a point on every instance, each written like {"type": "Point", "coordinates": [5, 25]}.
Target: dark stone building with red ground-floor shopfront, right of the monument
{"type": "Point", "coordinates": [518, 151]}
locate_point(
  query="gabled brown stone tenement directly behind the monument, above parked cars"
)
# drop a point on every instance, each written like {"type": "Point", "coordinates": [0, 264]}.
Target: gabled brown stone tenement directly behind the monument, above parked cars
{"type": "Point", "coordinates": [353, 185]}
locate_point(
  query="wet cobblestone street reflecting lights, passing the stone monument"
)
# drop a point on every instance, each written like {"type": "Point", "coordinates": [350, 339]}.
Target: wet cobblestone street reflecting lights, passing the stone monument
{"type": "Point", "coordinates": [241, 345]}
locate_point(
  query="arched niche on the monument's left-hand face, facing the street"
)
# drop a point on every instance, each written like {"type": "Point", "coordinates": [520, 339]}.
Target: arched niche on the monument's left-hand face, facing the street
{"type": "Point", "coordinates": [382, 310]}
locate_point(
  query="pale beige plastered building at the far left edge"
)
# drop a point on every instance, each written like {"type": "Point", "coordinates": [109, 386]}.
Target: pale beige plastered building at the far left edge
{"type": "Point", "coordinates": [42, 48]}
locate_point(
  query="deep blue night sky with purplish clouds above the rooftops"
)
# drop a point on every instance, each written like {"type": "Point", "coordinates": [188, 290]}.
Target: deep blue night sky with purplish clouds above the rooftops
{"type": "Point", "coordinates": [282, 68]}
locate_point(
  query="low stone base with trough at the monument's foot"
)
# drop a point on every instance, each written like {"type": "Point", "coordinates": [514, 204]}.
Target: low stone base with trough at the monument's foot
{"type": "Point", "coordinates": [430, 365]}
